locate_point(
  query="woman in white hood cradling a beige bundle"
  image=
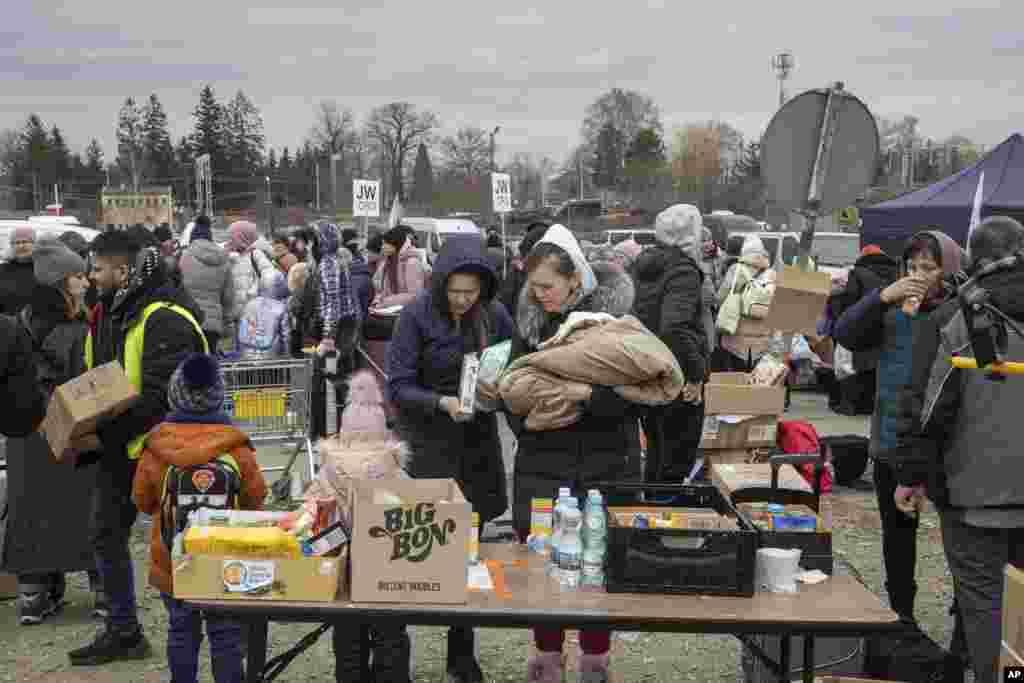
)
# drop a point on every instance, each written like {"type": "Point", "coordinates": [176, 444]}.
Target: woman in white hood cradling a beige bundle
{"type": "Point", "coordinates": [604, 446]}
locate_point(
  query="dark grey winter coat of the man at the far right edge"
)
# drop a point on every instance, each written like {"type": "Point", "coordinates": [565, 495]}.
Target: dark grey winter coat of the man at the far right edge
{"type": "Point", "coordinates": [960, 432]}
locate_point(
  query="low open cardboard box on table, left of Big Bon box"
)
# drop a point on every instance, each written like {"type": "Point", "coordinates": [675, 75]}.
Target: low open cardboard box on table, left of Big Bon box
{"type": "Point", "coordinates": [221, 578]}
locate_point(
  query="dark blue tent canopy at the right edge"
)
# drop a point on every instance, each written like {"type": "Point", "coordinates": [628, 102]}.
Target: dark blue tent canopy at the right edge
{"type": "Point", "coordinates": [947, 205]}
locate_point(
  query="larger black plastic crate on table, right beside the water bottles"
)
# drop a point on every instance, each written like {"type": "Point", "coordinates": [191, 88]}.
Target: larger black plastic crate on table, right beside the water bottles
{"type": "Point", "coordinates": [681, 562]}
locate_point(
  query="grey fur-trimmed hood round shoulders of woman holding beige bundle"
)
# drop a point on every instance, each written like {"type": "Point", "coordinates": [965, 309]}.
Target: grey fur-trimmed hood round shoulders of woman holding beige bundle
{"type": "Point", "coordinates": [614, 294]}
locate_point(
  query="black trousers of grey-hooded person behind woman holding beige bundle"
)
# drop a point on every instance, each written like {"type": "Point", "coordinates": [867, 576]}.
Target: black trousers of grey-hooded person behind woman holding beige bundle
{"type": "Point", "coordinates": [673, 438]}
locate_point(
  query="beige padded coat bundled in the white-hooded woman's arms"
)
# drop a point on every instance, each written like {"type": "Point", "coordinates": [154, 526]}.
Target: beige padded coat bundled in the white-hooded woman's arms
{"type": "Point", "coordinates": [620, 354]}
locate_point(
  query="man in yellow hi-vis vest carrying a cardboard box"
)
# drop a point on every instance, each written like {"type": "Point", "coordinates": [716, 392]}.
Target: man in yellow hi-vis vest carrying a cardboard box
{"type": "Point", "coordinates": [149, 326]}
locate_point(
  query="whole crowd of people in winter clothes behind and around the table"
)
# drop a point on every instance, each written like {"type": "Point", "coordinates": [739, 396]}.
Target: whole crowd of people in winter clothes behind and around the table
{"type": "Point", "coordinates": [163, 310]}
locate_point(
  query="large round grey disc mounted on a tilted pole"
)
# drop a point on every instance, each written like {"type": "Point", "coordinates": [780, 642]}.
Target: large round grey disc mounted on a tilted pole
{"type": "Point", "coordinates": [846, 155]}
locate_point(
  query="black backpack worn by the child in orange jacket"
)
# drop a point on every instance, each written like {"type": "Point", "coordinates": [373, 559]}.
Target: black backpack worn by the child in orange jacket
{"type": "Point", "coordinates": [217, 485]}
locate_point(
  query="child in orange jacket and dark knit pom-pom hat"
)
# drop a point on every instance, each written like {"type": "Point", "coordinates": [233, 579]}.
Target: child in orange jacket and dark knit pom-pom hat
{"type": "Point", "coordinates": [196, 433]}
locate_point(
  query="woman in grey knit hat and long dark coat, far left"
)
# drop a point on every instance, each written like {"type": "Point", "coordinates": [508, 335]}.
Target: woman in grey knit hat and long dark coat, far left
{"type": "Point", "coordinates": [44, 541]}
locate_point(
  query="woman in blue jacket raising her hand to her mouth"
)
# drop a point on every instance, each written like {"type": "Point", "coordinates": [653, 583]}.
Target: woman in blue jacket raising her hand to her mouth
{"type": "Point", "coordinates": [884, 321]}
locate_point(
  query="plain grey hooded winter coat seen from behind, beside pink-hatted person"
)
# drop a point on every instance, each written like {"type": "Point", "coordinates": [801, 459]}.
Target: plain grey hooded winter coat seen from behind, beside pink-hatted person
{"type": "Point", "coordinates": [206, 275]}
